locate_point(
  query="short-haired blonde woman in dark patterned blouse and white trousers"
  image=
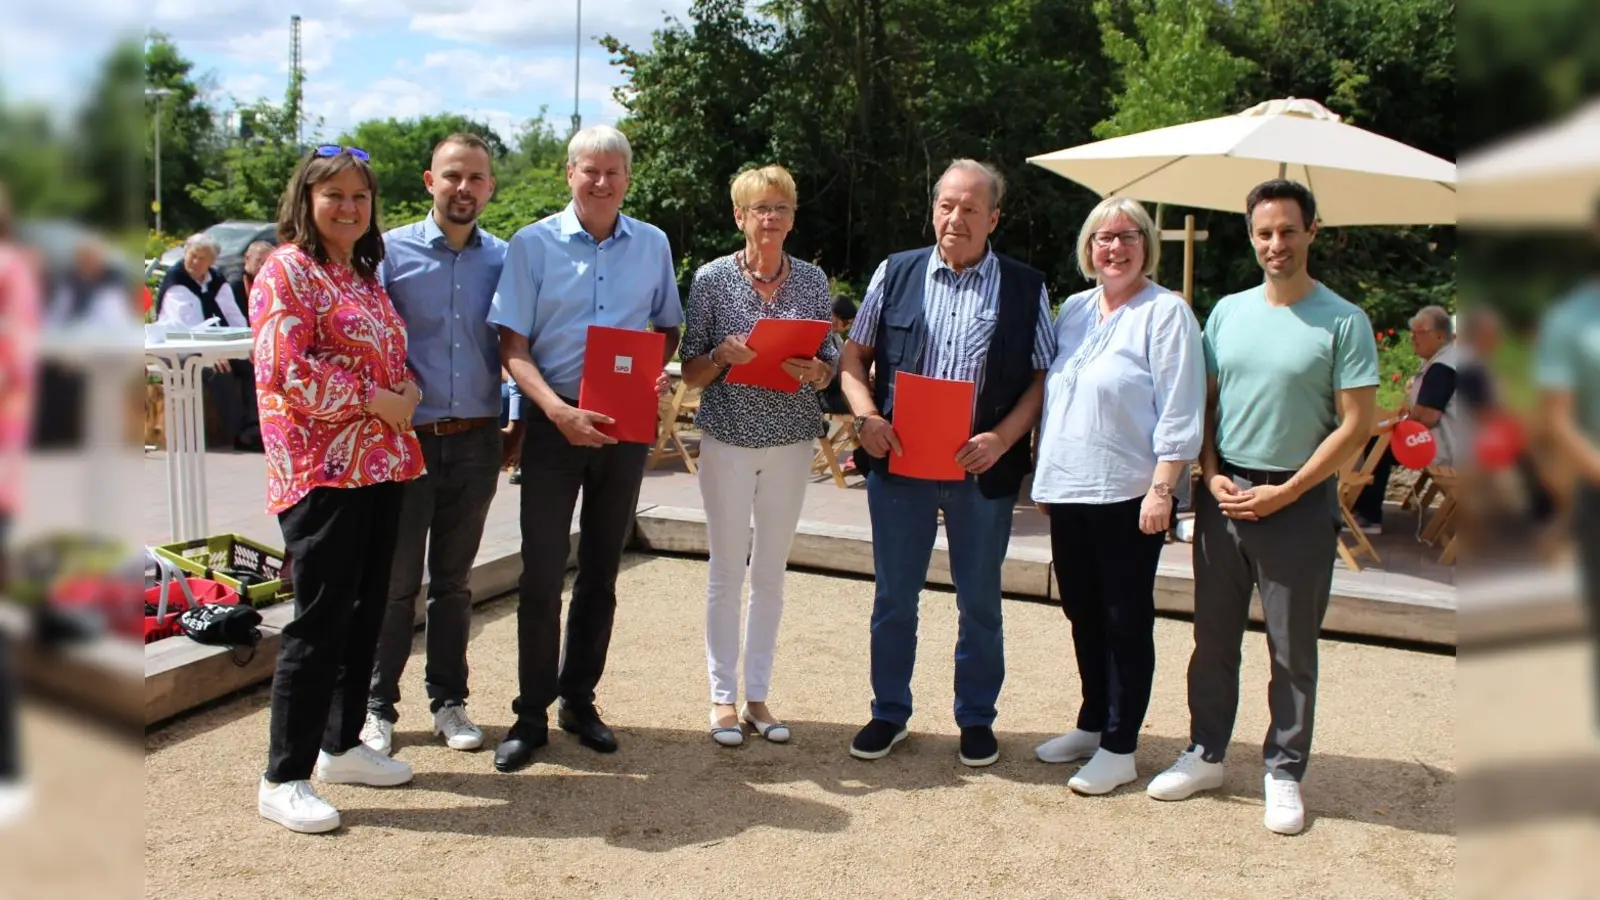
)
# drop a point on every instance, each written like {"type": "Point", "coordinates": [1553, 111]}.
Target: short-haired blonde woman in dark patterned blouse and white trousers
{"type": "Point", "coordinates": [756, 446]}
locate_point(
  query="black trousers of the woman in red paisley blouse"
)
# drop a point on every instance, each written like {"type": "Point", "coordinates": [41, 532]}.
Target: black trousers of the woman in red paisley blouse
{"type": "Point", "coordinates": [342, 544]}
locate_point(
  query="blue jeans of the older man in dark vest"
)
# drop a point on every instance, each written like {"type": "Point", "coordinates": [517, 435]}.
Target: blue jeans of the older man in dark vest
{"type": "Point", "coordinates": [905, 524]}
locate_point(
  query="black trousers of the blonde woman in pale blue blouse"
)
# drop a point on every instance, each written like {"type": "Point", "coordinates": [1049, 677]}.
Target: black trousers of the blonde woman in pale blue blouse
{"type": "Point", "coordinates": [1106, 569]}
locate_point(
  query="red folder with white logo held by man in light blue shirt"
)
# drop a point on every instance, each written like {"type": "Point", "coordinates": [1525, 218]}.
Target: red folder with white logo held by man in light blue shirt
{"type": "Point", "coordinates": [620, 380]}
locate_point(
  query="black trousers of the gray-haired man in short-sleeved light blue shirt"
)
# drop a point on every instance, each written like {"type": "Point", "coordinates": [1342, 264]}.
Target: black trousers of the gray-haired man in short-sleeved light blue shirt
{"type": "Point", "coordinates": [553, 476]}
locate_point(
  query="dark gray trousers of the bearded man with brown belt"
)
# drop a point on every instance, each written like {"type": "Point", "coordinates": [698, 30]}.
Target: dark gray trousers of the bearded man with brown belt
{"type": "Point", "coordinates": [442, 513]}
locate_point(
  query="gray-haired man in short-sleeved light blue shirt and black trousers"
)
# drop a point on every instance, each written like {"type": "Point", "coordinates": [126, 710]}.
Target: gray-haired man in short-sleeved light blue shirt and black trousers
{"type": "Point", "coordinates": [590, 265]}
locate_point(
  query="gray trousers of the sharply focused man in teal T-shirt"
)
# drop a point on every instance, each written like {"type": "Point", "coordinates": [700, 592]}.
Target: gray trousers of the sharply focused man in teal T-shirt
{"type": "Point", "coordinates": [1289, 556]}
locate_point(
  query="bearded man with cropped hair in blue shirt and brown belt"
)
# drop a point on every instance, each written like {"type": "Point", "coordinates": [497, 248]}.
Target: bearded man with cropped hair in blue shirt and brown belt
{"type": "Point", "coordinates": [441, 275]}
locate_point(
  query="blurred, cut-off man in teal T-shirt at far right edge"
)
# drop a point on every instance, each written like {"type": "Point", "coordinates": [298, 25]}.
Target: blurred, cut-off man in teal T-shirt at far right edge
{"type": "Point", "coordinates": [1570, 379]}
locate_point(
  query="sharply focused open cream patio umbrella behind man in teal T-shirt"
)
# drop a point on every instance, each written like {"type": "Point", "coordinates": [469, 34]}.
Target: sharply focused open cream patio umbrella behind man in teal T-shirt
{"type": "Point", "coordinates": [1359, 179]}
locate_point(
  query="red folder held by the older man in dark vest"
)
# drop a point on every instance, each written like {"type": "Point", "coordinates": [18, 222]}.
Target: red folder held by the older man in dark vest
{"type": "Point", "coordinates": [934, 419]}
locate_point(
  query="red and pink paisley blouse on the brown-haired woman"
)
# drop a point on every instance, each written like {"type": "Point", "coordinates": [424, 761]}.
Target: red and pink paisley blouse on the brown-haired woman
{"type": "Point", "coordinates": [326, 342]}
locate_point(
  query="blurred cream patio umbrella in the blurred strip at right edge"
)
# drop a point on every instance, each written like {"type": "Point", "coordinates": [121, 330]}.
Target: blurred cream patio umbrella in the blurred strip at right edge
{"type": "Point", "coordinates": [1548, 177]}
